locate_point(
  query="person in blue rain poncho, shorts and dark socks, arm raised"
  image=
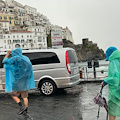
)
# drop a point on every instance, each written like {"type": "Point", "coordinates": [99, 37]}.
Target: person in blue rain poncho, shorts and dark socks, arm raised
{"type": "Point", "coordinates": [19, 77]}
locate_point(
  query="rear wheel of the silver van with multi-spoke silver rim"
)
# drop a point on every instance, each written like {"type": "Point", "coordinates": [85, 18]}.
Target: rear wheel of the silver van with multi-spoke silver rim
{"type": "Point", "coordinates": [47, 87]}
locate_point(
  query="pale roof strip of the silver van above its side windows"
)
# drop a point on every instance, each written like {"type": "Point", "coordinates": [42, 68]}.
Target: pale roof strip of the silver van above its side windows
{"type": "Point", "coordinates": [41, 50]}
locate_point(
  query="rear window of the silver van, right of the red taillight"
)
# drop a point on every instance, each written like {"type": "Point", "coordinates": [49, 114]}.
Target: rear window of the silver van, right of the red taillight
{"type": "Point", "coordinates": [72, 56]}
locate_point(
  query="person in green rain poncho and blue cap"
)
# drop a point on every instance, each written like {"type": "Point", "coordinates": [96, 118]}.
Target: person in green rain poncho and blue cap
{"type": "Point", "coordinates": [113, 81]}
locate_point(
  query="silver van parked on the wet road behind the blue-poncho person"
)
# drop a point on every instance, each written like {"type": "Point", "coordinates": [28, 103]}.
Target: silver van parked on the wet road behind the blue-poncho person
{"type": "Point", "coordinates": [53, 68]}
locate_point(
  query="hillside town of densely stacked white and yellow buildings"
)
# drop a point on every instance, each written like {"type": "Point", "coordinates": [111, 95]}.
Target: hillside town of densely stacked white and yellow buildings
{"type": "Point", "coordinates": [22, 26]}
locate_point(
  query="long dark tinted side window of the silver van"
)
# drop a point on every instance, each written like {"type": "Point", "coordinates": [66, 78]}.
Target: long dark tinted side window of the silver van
{"type": "Point", "coordinates": [42, 57]}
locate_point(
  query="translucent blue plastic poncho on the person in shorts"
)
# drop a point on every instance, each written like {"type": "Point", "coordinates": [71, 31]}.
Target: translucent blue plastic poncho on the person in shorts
{"type": "Point", "coordinates": [18, 72]}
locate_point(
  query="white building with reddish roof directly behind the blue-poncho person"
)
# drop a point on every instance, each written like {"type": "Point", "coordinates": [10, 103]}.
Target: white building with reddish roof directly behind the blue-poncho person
{"type": "Point", "coordinates": [15, 39]}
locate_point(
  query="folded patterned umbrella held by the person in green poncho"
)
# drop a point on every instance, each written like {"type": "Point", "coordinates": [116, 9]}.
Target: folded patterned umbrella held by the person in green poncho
{"type": "Point", "coordinates": [101, 101]}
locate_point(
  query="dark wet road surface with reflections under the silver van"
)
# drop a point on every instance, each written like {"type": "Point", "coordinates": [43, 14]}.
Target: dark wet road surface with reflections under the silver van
{"type": "Point", "coordinates": [72, 104]}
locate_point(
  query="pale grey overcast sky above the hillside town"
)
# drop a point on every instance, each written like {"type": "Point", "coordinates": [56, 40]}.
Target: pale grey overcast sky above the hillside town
{"type": "Point", "coordinates": [98, 20]}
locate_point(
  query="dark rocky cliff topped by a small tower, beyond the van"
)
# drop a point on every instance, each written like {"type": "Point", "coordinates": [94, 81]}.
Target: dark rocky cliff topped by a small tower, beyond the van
{"type": "Point", "coordinates": [87, 50]}
